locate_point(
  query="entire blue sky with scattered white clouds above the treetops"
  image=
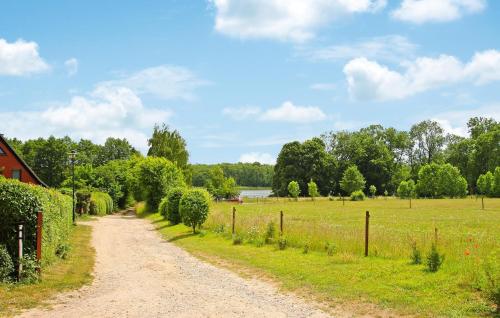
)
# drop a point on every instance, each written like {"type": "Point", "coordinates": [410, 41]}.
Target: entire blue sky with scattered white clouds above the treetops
{"type": "Point", "coordinates": [239, 78]}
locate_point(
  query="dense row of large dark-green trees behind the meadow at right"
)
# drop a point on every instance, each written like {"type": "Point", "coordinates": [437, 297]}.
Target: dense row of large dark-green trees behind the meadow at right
{"type": "Point", "coordinates": [385, 157]}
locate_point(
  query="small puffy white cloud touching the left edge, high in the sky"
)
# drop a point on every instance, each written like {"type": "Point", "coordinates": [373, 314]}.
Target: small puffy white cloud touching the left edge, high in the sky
{"type": "Point", "coordinates": [20, 58]}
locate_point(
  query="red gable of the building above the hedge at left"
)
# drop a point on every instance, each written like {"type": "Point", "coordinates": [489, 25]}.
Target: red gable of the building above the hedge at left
{"type": "Point", "coordinates": [12, 166]}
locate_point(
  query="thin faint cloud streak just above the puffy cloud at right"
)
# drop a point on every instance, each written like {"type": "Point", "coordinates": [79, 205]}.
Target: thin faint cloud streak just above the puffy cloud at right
{"type": "Point", "coordinates": [390, 47]}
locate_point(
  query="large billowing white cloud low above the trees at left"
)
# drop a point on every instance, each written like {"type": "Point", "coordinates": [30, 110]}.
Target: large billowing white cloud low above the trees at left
{"type": "Point", "coordinates": [105, 112]}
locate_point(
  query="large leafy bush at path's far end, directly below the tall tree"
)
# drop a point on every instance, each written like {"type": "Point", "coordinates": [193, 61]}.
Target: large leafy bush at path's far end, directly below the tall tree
{"type": "Point", "coordinates": [156, 176]}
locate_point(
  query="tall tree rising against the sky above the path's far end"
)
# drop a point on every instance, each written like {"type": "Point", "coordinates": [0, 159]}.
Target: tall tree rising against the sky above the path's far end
{"type": "Point", "coordinates": [168, 144]}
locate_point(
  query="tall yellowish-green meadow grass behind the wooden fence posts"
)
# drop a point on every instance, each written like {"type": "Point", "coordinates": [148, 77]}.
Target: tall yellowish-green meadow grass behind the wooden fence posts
{"type": "Point", "coordinates": [464, 230]}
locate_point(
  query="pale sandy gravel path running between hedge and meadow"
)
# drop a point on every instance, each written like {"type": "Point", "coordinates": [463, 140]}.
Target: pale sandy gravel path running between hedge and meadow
{"type": "Point", "coordinates": [137, 274]}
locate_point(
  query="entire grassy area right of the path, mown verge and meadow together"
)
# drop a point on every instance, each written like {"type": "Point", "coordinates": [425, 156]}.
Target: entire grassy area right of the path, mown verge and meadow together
{"type": "Point", "coordinates": [467, 235]}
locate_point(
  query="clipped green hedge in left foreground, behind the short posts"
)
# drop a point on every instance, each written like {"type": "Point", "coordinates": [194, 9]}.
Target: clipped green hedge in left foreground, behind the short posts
{"type": "Point", "coordinates": [19, 202]}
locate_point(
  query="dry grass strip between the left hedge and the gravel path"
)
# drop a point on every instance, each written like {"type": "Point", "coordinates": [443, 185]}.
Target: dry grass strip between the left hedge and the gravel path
{"type": "Point", "coordinates": [63, 275]}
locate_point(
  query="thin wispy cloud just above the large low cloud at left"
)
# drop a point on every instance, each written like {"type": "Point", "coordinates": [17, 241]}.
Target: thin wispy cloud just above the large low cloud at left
{"type": "Point", "coordinates": [164, 81]}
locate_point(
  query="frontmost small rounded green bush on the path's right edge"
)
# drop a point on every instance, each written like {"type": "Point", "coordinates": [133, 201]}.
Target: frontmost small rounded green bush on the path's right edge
{"type": "Point", "coordinates": [194, 207]}
